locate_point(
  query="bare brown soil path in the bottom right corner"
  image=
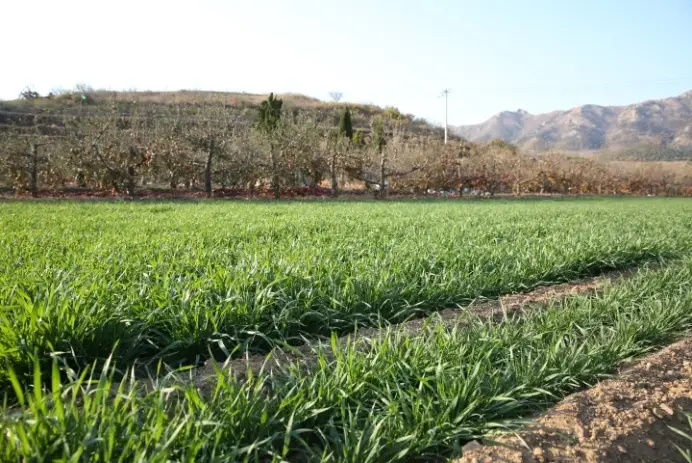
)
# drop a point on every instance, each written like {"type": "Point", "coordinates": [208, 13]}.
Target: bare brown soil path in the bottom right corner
{"type": "Point", "coordinates": [625, 419]}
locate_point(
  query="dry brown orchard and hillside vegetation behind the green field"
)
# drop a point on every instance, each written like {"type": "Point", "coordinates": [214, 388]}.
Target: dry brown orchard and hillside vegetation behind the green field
{"type": "Point", "coordinates": [132, 142]}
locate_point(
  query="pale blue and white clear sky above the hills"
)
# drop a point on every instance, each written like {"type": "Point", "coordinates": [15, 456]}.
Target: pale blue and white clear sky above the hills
{"type": "Point", "coordinates": [495, 55]}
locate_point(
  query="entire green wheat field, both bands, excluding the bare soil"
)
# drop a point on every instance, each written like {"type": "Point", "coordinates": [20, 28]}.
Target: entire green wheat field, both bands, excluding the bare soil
{"type": "Point", "coordinates": [97, 298]}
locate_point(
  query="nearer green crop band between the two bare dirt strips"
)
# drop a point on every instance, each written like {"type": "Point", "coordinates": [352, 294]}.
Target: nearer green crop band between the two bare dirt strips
{"type": "Point", "coordinates": [396, 398]}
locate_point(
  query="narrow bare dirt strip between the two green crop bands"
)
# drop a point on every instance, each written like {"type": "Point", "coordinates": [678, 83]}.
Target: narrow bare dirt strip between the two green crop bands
{"type": "Point", "coordinates": [491, 310]}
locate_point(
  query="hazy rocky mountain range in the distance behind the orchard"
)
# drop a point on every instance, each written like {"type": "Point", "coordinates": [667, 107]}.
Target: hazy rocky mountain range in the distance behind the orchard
{"type": "Point", "coordinates": [666, 122]}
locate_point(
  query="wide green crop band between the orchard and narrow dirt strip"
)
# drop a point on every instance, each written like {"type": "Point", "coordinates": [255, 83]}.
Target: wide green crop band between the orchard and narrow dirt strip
{"type": "Point", "coordinates": [181, 282]}
